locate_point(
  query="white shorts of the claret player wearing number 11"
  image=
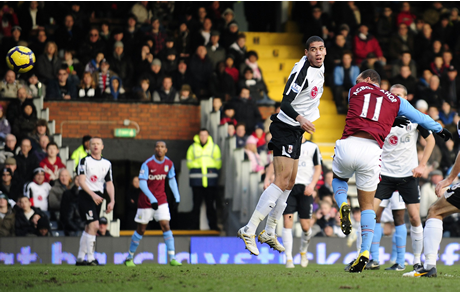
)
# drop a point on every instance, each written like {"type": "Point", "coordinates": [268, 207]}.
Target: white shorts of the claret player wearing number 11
{"type": "Point", "coordinates": [359, 156]}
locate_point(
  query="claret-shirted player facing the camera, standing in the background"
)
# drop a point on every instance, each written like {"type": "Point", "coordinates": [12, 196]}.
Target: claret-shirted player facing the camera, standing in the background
{"type": "Point", "coordinates": [152, 202]}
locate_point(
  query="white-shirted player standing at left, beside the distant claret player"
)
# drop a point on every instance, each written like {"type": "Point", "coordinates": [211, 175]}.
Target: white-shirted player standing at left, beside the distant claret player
{"type": "Point", "coordinates": [93, 172]}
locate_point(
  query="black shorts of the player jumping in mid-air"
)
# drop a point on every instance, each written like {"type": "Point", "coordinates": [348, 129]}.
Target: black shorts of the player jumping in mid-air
{"type": "Point", "coordinates": [286, 139]}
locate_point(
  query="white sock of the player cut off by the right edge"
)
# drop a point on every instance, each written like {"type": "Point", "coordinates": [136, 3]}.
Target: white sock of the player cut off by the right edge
{"type": "Point", "coordinates": [431, 239]}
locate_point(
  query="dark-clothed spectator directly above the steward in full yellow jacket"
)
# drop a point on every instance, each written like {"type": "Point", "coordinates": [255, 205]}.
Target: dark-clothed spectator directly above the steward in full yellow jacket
{"type": "Point", "coordinates": [201, 70]}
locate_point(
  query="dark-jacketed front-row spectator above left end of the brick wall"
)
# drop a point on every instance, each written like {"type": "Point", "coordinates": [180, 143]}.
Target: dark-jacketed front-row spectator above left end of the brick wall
{"type": "Point", "coordinates": [62, 87]}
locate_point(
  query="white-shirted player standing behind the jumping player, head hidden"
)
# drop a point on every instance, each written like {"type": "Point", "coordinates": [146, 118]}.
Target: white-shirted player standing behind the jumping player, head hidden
{"type": "Point", "coordinates": [301, 200]}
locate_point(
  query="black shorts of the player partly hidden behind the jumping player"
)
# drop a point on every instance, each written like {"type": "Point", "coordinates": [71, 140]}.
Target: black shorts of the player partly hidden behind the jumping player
{"type": "Point", "coordinates": [297, 201]}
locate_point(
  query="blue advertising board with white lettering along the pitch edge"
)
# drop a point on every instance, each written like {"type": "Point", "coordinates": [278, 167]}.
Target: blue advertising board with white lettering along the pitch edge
{"type": "Point", "coordinates": [194, 250]}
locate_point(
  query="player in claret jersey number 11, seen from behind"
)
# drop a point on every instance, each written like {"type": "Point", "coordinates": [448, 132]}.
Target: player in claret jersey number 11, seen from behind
{"type": "Point", "coordinates": [371, 114]}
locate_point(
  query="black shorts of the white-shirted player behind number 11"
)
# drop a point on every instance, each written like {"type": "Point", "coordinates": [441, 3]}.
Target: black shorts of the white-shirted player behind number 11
{"type": "Point", "coordinates": [406, 186]}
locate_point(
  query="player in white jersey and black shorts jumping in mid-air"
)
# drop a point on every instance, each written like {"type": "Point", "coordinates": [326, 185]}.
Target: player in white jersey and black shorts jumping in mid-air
{"type": "Point", "coordinates": [299, 108]}
